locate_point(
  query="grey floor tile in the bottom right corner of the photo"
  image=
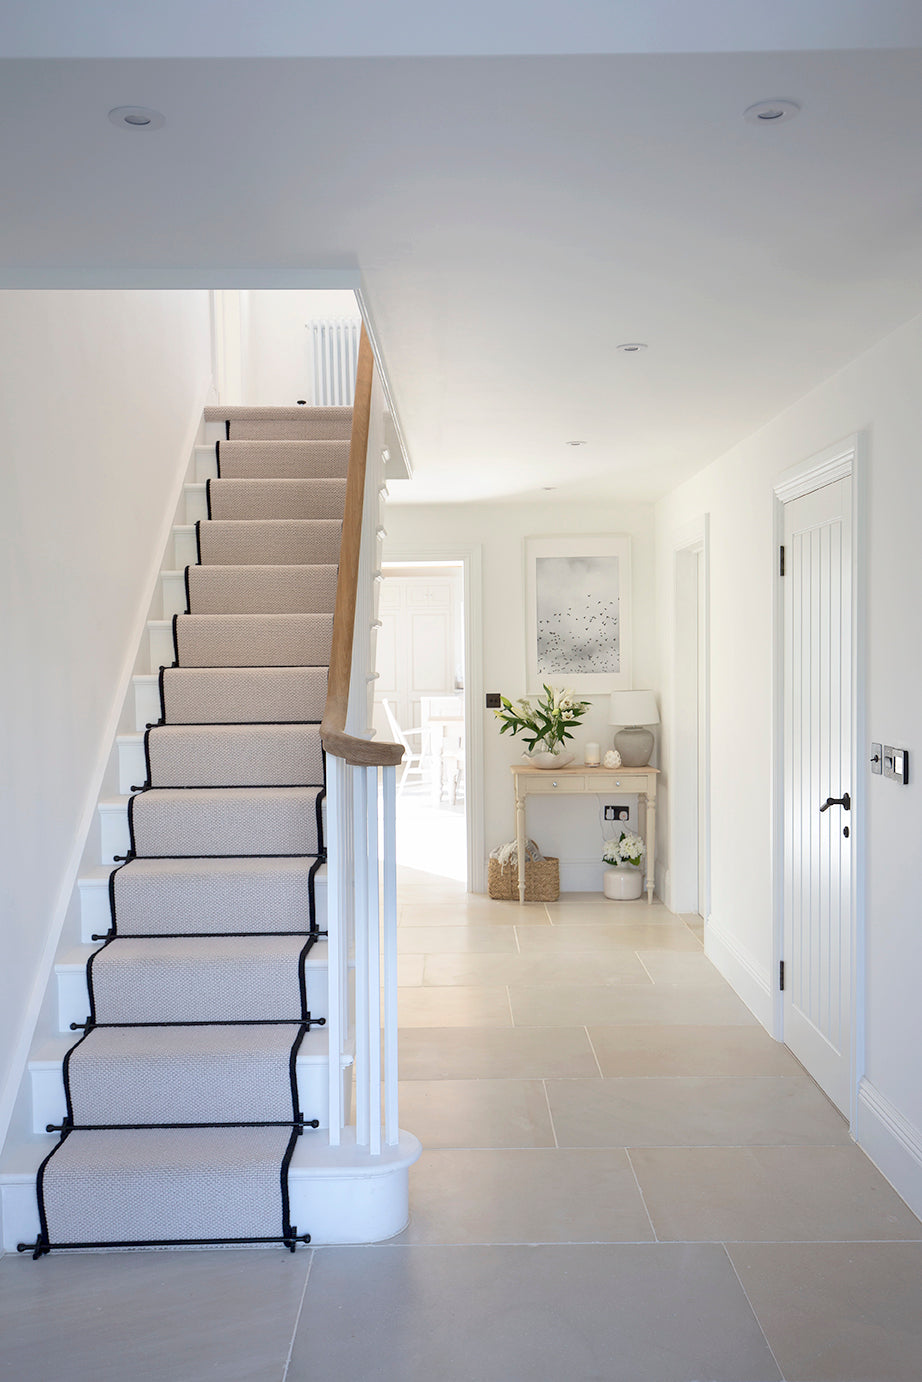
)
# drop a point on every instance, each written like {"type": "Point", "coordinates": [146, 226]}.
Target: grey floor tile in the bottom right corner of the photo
{"type": "Point", "coordinates": [838, 1312]}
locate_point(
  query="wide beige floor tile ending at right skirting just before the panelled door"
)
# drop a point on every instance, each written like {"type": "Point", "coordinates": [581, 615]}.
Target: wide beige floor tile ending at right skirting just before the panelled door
{"type": "Point", "coordinates": [632, 1004]}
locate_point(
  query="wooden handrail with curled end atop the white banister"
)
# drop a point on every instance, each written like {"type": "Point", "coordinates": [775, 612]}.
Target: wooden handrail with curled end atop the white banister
{"type": "Point", "coordinates": [337, 741]}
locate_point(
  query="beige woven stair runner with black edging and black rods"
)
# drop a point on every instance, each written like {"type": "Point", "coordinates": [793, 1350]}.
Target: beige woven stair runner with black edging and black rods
{"type": "Point", "coordinates": [182, 1095]}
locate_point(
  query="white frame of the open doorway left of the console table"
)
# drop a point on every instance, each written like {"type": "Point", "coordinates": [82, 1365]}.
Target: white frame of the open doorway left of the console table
{"type": "Point", "coordinates": [471, 558]}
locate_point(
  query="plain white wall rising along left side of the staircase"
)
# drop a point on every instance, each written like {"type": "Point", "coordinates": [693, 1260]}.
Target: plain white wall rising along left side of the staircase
{"type": "Point", "coordinates": [100, 396]}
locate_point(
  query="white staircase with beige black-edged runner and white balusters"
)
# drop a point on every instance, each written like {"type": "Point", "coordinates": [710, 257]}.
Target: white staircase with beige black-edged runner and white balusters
{"type": "Point", "coordinates": [207, 1101]}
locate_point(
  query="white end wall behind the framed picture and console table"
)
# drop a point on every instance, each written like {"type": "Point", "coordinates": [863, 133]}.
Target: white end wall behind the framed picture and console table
{"type": "Point", "coordinates": [567, 830]}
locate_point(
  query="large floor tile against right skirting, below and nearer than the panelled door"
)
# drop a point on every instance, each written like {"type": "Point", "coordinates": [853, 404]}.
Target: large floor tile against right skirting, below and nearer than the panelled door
{"type": "Point", "coordinates": [769, 1195]}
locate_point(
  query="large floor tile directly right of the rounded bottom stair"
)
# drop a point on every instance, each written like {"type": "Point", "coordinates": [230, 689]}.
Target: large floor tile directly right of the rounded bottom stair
{"type": "Point", "coordinates": [540, 1196]}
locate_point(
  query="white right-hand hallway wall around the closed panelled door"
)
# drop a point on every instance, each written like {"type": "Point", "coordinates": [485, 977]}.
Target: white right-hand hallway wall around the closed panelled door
{"type": "Point", "coordinates": [880, 395]}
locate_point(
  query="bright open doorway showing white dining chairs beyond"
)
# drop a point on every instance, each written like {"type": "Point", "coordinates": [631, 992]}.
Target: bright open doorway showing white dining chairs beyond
{"type": "Point", "coordinates": [420, 701]}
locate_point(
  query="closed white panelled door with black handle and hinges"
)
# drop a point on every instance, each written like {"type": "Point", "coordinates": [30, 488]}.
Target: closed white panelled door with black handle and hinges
{"type": "Point", "coordinates": [818, 776]}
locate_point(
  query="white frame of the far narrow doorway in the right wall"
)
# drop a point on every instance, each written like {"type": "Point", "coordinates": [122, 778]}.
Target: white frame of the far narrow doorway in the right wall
{"type": "Point", "coordinates": [690, 538]}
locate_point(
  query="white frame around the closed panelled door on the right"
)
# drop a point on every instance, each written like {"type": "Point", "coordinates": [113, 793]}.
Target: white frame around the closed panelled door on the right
{"type": "Point", "coordinates": [845, 461]}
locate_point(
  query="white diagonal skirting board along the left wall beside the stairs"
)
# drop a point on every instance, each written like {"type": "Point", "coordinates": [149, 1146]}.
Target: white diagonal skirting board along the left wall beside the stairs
{"type": "Point", "coordinates": [150, 591]}
